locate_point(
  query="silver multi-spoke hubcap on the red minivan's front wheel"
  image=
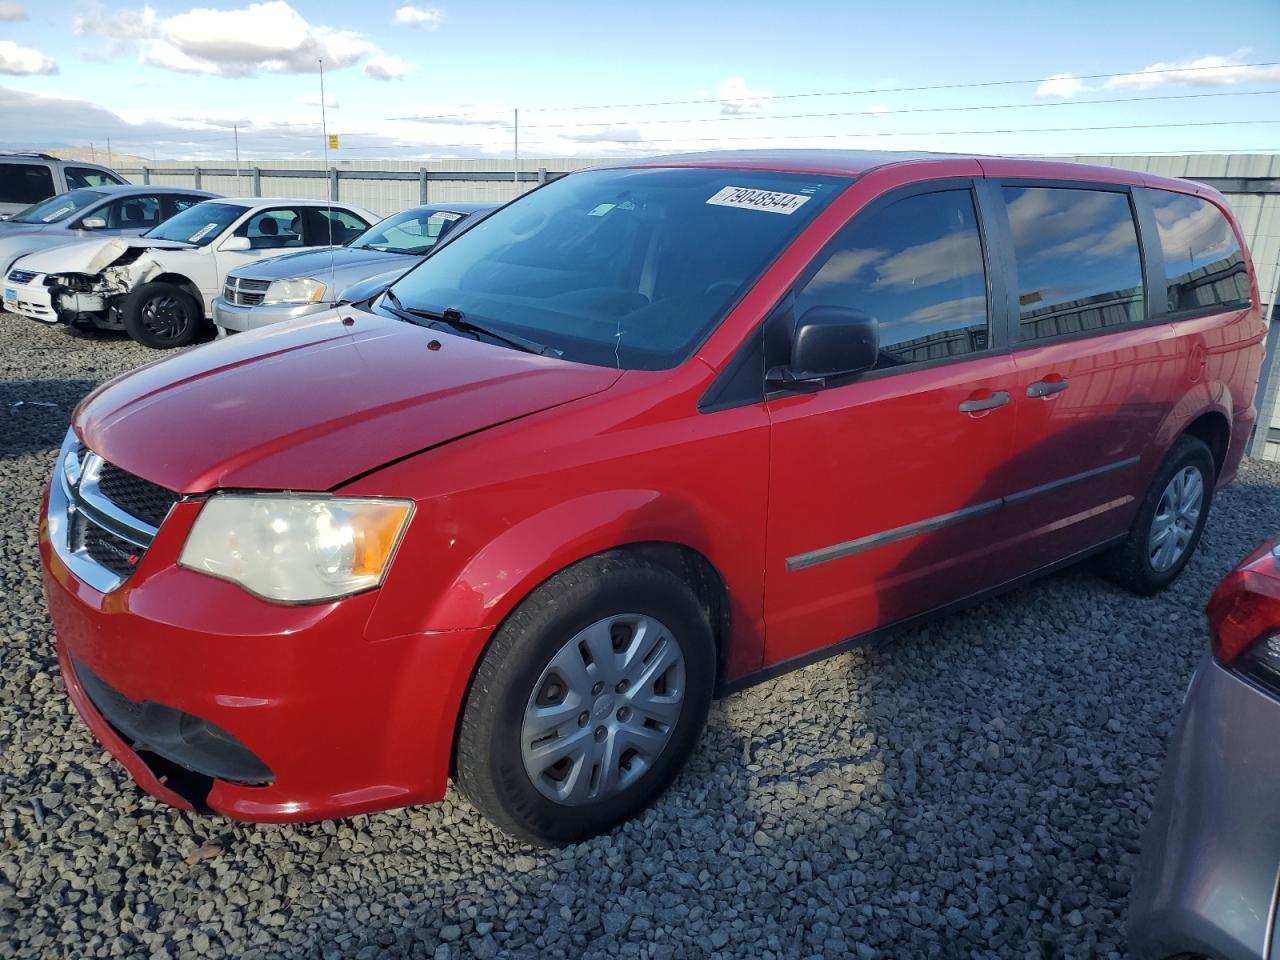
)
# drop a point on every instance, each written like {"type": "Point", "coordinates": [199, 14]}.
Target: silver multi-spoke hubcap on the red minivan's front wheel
{"type": "Point", "coordinates": [604, 710]}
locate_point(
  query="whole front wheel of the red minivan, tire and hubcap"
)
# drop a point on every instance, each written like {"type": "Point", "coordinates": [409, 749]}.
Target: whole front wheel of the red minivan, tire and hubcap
{"type": "Point", "coordinates": [588, 701]}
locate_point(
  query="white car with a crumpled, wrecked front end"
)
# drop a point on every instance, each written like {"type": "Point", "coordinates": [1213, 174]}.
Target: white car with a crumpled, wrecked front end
{"type": "Point", "coordinates": [161, 287]}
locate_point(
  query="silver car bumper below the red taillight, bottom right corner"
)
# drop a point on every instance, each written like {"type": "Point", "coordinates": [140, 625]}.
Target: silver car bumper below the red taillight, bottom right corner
{"type": "Point", "coordinates": [1212, 856]}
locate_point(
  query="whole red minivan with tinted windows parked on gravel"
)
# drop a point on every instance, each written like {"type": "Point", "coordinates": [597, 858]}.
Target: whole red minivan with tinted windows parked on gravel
{"type": "Point", "coordinates": [650, 435]}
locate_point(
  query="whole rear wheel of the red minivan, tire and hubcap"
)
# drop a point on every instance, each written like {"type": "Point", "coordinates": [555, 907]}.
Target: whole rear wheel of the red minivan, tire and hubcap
{"type": "Point", "coordinates": [1169, 523]}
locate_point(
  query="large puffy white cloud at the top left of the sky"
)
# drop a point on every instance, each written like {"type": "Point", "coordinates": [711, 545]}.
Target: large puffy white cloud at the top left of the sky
{"type": "Point", "coordinates": [272, 38]}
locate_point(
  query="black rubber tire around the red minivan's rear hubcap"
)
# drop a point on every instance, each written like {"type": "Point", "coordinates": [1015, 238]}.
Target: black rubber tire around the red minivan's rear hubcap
{"type": "Point", "coordinates": [1130, 565]}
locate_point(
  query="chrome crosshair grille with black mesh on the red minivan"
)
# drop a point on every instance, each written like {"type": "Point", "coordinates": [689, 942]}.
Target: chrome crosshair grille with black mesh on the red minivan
{"type": "Point", "coordinates": [102, 519]}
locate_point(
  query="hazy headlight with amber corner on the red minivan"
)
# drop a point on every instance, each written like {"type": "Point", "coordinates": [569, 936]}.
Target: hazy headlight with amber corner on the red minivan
{"type": "Point", "coordinates": [296, 550]}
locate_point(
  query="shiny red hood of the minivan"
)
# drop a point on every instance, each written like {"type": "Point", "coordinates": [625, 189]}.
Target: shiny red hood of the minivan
{"type": "Point", "coordinates": [308, 406]}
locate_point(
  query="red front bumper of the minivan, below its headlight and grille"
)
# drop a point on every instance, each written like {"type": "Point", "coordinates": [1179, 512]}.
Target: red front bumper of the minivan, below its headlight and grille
{"type": "Point", "coordinates": [346, 724]}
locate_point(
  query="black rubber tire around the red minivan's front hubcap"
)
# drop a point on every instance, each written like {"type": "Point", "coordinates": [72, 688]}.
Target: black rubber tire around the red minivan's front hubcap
{"type": "Point", "coordinates": [491, 770]}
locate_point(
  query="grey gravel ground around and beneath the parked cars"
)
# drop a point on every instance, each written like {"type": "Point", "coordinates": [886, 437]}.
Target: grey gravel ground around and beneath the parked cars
{"type": "Point", "coordinates": [976, 788]}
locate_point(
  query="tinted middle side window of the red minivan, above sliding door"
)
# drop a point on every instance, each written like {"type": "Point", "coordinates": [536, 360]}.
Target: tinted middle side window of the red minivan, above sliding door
{"type": "Point", "coordinates": [1078, 262]}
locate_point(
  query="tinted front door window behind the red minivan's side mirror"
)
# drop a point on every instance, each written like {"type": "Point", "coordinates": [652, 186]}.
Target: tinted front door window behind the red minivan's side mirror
{"type": "Point", "coordinates": [916, 266]}
